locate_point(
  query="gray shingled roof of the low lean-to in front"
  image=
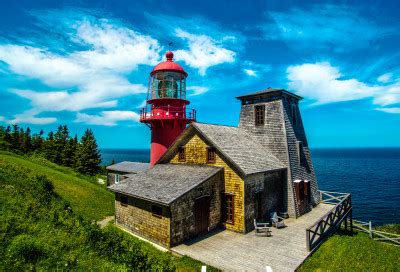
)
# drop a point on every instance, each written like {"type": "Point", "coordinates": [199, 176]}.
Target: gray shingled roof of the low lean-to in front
{"type": "Point", "coordinates": [163, 183]}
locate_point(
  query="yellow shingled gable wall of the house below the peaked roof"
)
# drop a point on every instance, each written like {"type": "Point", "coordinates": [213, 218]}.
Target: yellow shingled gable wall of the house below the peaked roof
{"type": "Point", "coordinates": [195, 151]}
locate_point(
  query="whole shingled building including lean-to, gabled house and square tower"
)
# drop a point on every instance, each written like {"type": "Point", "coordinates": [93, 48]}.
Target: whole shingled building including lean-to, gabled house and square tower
{"type": "Point", "coordinates": [222, 176]}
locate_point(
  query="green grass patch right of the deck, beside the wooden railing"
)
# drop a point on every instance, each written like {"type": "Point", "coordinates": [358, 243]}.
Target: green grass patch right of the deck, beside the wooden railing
{"type": "Point", "coordinates": [354, 253]}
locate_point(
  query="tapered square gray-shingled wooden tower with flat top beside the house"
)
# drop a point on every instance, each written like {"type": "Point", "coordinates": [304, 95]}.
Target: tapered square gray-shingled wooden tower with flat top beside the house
{"type": "Point", "coordinates": [273, 116]}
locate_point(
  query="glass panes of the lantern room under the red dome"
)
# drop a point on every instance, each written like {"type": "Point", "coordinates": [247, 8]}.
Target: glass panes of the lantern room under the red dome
{"type": "Point", "coordinates": [167, 85]}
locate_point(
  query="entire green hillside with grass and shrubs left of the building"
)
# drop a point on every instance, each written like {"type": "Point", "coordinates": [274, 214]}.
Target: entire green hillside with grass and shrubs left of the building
{"type": "Point", "coordinates": [47, 224]}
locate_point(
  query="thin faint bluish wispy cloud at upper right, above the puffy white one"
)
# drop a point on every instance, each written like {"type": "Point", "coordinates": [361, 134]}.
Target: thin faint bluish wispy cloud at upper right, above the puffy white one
{"type": "Point", "coordinates": [323, 26]}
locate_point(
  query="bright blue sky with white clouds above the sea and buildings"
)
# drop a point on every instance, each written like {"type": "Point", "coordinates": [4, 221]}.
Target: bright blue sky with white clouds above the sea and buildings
{"type": "Point", "coordinates": [86, 64]}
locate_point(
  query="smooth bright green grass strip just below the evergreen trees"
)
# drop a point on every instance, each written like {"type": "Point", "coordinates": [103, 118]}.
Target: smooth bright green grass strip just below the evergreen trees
{"type": "Point", "coordinates": [88, 199]}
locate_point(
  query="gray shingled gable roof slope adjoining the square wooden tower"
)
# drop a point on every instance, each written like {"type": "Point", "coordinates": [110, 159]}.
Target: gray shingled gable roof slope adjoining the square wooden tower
{"type": "Point", "coordinates": [240, 147]}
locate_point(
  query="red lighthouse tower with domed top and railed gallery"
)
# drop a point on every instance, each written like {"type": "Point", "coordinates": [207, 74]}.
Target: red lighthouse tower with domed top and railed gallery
{"type": "Point", "coordinates": [166, 113]}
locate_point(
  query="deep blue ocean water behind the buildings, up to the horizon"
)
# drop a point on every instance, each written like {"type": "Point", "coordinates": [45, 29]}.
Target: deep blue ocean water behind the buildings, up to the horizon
{"type": "Point", "coordinates": [371, 175]}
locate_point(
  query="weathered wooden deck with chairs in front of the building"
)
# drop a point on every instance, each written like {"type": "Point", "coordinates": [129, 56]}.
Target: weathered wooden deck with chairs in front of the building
{"type": "Point", "coordinates": [285, 250]}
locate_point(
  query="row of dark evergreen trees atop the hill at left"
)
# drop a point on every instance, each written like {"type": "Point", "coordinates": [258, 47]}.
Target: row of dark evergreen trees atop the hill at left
{"type": "Point", "coordinates": [58, 147]}
